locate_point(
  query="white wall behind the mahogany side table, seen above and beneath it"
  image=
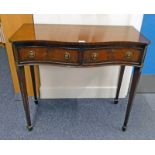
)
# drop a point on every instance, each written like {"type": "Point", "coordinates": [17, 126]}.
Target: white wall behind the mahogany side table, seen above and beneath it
{"type": "Point", "coordinates": [99, 82]}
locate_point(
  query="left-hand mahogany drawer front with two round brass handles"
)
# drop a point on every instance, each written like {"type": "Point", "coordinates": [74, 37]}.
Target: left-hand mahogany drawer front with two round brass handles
{"type": "Point", "coordinates": [43, 54]}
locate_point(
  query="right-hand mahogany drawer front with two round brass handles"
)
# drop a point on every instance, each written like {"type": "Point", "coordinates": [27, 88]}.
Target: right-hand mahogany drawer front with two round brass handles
{"type": "Point", "coordinates": [124, 55]}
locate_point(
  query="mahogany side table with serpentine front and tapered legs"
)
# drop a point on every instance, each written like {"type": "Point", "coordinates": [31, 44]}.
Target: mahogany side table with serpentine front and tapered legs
{"type": "Point", "coordinates": [78, 46]}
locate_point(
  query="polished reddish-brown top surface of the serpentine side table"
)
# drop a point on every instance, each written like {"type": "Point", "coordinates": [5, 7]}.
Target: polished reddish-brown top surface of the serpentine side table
{"type": "Point", "coordinates": [78, 33]}
